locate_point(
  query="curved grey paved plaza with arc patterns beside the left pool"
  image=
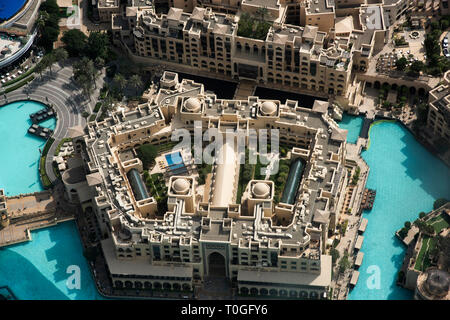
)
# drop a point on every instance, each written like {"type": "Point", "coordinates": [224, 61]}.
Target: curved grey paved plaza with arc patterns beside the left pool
{"type": "Point", "coordinates": [57, 88]}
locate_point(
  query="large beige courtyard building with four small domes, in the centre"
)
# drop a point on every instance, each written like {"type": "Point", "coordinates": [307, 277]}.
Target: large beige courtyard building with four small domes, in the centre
{"type": "Point", "coordinates": [261, 246]}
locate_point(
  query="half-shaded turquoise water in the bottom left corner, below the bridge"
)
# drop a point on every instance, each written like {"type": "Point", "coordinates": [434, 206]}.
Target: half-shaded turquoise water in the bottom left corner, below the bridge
{"type": "Point", "coordinates": [37, 270]}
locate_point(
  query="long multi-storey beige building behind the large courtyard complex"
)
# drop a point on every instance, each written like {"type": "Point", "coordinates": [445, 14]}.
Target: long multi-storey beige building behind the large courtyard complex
{"type": "Point", "coordinates": [290, 56]}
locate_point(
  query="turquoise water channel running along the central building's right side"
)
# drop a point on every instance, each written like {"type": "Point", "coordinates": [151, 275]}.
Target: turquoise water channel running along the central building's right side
{"type": "Point", "coordinates": [407, 181]}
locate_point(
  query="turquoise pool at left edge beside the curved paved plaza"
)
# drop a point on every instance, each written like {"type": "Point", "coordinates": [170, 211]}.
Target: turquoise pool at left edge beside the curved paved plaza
{"type": "Point", "coordinates": [19, 149]}
